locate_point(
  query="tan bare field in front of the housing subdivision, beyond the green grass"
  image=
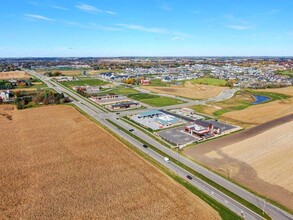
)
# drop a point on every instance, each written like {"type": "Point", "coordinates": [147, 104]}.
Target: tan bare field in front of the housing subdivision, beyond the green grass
{"type": "Point", "coordinates": [188, 90]}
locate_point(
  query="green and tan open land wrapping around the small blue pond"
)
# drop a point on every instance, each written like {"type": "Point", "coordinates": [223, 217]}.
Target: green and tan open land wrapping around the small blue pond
{"type": "Point", "coordinates": [239, 110]}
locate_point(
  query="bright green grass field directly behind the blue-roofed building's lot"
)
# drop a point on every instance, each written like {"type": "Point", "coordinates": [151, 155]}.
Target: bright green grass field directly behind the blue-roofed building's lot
{"type": "Point", "coordinates": [154, 100]}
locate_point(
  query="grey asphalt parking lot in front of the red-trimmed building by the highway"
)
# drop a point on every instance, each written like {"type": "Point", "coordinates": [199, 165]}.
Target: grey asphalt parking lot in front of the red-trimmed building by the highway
{"type": "Point", "coordinates": [177, 136]}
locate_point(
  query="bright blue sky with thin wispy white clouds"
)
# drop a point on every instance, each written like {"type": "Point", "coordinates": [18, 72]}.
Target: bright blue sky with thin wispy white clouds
{"type": "Point", "coordinates": [99, 28]}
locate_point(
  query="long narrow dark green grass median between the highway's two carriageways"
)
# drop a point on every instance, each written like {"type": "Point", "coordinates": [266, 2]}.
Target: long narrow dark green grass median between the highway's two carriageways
{"type": "Point", "coordinates": [200, 176]}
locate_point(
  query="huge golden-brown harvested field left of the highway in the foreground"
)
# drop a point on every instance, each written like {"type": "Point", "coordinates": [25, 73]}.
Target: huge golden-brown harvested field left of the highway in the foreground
{"type": "Point", "coordinates": [56, 164]}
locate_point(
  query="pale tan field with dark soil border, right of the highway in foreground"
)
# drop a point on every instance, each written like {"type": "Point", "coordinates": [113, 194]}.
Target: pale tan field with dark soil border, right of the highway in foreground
{"type": "Point", "coordinates": [259, 158]}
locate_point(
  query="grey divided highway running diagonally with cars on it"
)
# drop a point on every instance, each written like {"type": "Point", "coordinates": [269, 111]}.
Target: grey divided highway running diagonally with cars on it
{"type": "Point", "coordinates": [99, 115]}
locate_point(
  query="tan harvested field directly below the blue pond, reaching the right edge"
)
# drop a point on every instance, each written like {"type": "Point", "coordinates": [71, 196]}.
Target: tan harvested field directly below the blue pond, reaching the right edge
{"type": "Point", "coordinates": [258, 114]}
